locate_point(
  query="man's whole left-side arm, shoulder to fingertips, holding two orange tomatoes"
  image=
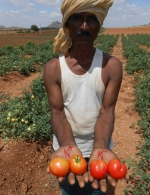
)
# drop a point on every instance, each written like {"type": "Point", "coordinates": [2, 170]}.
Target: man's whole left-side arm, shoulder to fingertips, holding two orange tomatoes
{"type": "Point", "coordinates": [60, 126]}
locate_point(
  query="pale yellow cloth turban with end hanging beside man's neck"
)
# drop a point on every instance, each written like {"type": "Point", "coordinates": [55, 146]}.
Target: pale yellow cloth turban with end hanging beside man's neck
{"type": "Point", "coordinates": [97, 7]}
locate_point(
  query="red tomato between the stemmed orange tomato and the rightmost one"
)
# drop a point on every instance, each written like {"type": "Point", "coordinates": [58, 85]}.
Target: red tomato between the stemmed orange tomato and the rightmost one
{"type": "Point", "coordinates": [98, 169]}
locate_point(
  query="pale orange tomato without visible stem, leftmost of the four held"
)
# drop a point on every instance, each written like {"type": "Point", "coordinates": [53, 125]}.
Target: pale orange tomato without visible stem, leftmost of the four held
{"type": "Point", "coordinates": [59, 166]}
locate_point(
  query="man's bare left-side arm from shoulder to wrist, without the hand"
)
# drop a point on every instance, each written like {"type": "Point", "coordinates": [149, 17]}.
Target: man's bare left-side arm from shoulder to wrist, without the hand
{"type": "Point", "coordinates": [60, 126]}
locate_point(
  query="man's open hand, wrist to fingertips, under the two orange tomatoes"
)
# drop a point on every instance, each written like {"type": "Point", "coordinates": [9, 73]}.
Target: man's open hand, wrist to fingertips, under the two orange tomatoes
{"type": "Point", "coordinates": [66, 152]}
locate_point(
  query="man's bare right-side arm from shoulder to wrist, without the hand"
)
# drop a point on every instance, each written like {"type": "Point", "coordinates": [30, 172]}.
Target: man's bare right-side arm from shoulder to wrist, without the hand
{"type": "Point", "coordinates": [105, 122]}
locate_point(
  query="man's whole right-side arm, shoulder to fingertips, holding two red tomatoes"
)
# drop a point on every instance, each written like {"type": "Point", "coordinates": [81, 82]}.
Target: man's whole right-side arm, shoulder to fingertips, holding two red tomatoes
{"type": "Point", "coordinates": [105, 122]}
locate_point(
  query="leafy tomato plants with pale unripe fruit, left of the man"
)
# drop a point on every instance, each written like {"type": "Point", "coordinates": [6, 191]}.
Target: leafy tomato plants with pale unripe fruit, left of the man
{"type": "Point", "coordinates": [26, 117]}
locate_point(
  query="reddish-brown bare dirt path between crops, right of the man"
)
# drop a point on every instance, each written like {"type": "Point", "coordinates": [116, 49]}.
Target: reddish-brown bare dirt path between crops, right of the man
{"type": "Point", "coordinates": [124, 136]}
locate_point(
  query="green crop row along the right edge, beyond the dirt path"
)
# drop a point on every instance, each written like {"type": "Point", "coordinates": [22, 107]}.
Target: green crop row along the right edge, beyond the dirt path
{"type": "Point", "coordinates": [138, 63]}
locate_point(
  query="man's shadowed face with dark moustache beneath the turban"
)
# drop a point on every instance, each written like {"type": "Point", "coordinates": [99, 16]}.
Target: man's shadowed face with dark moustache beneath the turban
{"type": "Point", "coordinates": [83, 27]}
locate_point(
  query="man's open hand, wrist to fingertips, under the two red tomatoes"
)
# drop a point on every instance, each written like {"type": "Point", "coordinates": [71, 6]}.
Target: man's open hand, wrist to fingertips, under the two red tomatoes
{"type": "Point", "coordinates": [106, 155]}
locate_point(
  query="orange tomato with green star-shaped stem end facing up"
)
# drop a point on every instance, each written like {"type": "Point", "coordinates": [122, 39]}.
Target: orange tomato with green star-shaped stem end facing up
{"type": "Point", "coordinates": [77, 164]}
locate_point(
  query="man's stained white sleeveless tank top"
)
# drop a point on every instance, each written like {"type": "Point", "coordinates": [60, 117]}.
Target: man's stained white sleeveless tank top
{"type": "Point", "coordinates": [82, 96]}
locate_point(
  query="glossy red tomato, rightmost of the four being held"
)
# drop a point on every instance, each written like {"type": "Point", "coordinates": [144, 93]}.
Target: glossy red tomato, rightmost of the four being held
{"type": "Point", "coordinates": [117, 169]}
